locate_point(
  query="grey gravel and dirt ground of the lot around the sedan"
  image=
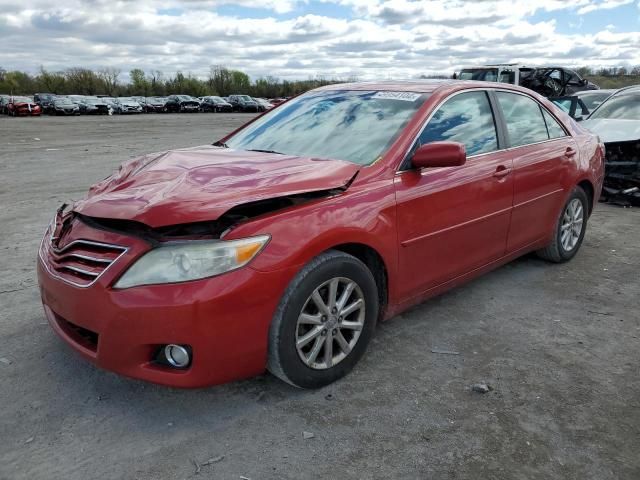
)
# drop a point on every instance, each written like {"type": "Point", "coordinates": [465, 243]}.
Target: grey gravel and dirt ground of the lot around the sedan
{"type": "Point", "coordinates": [559, 344]}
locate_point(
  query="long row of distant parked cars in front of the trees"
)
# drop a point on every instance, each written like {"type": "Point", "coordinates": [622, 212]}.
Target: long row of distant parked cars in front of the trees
{"type": "Point", "coordinates": [47, 103]}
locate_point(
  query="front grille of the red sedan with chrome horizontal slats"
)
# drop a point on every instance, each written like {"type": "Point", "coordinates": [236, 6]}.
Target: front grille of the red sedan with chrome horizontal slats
{"type": "Point", "coordinates": [82, 262]}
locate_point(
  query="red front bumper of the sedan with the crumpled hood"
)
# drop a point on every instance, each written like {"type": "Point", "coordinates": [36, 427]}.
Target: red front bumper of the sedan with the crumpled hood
{"type": "Point", "coordinates": [224, 320]}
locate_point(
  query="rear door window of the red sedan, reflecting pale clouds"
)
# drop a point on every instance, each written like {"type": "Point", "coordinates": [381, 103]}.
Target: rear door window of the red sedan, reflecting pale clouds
{"type": "Point", "coordinates": [523, 117]}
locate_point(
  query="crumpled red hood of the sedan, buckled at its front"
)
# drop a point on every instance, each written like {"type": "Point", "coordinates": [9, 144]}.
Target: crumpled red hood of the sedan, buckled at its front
{"type": "Point", "coordinates": [202, 183]}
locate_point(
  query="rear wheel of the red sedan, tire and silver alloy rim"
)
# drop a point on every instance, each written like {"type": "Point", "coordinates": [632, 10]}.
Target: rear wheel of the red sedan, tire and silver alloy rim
{"type": "Point", "coordinates": [559, 250]}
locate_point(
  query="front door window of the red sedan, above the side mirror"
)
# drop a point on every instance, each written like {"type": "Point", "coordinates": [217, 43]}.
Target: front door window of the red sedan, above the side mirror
{"type": "Point", "coordinates": [466, 118]}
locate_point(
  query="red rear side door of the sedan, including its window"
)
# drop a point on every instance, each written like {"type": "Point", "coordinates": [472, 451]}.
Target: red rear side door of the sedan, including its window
{"type": "Point", "coordinates": [541, 151]}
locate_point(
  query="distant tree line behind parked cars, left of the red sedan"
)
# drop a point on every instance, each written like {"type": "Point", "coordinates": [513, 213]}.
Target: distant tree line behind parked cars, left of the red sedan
{"type": "Point", "coordinates": [107, 81]}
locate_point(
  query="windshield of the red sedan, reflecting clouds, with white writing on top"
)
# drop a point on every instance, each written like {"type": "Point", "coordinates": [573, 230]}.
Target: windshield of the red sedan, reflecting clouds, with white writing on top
{"type": "Point", "coordinates": [357, 126]}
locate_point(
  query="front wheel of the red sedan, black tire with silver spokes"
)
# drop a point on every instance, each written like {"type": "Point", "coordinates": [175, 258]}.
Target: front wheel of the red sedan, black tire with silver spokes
{"type": "Point", "coordinates": [285, 360]}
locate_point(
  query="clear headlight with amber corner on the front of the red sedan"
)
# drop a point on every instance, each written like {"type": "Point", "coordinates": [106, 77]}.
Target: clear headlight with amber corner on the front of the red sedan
{"type": "Point", "coordinates": [191, 260]}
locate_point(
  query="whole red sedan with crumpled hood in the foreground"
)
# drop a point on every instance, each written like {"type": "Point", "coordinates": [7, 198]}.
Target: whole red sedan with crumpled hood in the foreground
{"type": "Point", "coordinates": [281, 246]}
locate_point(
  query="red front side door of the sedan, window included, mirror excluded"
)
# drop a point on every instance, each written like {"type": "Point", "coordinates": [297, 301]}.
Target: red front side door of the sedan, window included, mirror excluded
{"type": "Point", "coordinates": [455, 219]}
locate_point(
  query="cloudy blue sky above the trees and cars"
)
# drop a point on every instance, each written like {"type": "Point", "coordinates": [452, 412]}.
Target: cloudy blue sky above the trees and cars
{"type": "Point", "coordinates": [303, 38]}
